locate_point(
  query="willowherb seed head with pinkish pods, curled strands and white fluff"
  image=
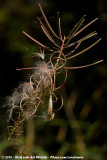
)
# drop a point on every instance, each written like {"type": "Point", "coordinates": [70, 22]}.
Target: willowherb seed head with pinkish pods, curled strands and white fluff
{"type": "Point", "coordinates": [31, 96]}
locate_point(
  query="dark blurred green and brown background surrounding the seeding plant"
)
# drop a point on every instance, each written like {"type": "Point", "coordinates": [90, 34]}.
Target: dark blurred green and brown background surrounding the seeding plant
{"type": "Point", "coordinates": [80, 127]}
